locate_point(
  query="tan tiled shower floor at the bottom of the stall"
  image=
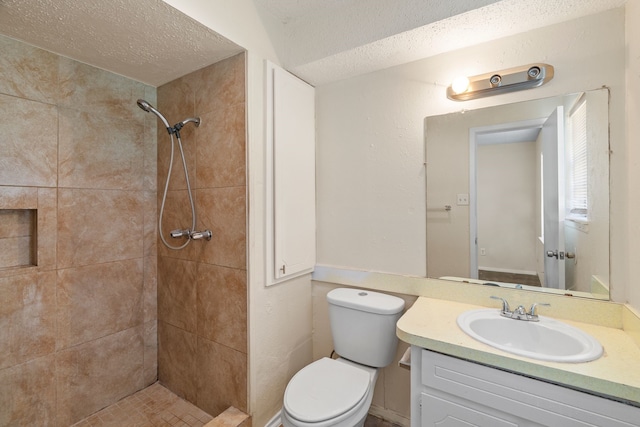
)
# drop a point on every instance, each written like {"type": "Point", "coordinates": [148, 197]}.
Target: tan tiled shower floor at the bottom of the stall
{"type": "Point", "coordinates": [153, 406]}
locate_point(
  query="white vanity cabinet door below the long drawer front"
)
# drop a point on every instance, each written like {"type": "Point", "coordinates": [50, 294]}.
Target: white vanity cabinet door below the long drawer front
{"type": "Point", "coordinates": [447, 413]}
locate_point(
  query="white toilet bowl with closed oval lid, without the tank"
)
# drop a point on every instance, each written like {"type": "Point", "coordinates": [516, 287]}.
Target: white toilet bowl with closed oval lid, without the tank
{"type": "Point", "coordinates": [329, 392]}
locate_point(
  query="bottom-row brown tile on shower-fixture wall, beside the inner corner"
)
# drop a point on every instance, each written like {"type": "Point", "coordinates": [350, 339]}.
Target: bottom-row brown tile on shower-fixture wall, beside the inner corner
{"type": "Point", "coordinates": [177, 360]}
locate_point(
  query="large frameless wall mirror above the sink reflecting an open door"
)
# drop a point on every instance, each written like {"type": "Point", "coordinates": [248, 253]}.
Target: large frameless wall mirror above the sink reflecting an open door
{"type": "Point", "coordinates": [518, 195]}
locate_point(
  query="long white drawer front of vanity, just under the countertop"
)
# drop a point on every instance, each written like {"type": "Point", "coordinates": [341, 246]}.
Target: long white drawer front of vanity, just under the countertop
{"type": "Point", "coordinates": [544, 403]}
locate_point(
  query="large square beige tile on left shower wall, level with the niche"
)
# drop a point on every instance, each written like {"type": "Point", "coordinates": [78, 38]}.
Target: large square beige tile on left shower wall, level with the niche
{"type": "Point", "coordinates": [98, 226]}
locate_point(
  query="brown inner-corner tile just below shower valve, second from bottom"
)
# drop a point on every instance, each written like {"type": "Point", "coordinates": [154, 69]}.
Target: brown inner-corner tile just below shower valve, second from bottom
{"type": "Point", "coordinates": [177, 293]}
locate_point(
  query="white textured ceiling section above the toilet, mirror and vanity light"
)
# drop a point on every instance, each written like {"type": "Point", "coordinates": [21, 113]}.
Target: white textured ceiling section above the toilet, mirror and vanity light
{"type": "Point", "coordinates": [354, 37]}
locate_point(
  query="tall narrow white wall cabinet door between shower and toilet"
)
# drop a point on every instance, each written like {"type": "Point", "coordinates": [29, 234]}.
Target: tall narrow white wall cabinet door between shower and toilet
{"type": "Point", "coordinates": [292, 164]}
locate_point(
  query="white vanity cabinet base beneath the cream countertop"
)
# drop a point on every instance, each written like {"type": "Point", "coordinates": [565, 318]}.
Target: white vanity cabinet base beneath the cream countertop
{"type": "Point", "coordinates": [450, 392]}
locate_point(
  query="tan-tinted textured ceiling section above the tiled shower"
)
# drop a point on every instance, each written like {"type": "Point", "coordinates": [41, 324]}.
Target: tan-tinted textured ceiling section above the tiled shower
{"type": "Point", "coordinates": [146, 40]}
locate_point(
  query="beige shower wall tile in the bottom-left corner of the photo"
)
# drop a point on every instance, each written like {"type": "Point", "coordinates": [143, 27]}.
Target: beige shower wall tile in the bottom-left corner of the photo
{"type": "Point", "coordinates": [28, 394]}
